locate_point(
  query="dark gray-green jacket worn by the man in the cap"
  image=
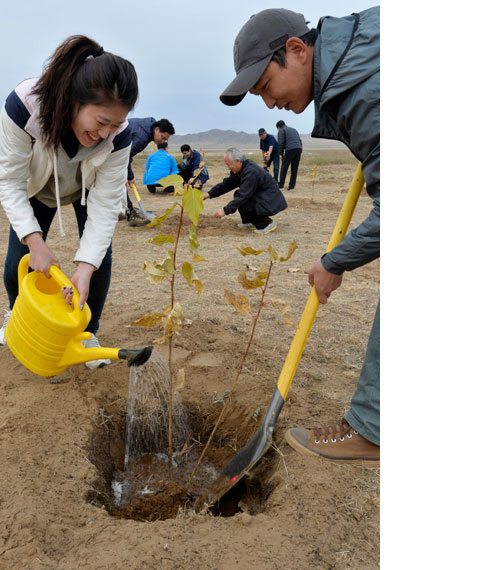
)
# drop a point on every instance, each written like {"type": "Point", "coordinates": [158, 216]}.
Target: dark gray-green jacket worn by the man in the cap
{"type": "Point", "coordinates": [347, 108]}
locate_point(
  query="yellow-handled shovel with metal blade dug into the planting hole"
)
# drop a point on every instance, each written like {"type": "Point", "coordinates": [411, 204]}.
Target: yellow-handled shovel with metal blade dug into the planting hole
{"type": "Point", "coordinates": [247, 457]}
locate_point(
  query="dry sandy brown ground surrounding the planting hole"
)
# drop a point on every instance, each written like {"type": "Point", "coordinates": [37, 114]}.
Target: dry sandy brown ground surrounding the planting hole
{"type": "Point", "coordinates": [61, 439]}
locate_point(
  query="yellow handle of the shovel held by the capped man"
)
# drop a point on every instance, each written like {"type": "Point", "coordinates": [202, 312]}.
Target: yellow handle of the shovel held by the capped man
{"type": "Point", "coordinates": [307, 319]}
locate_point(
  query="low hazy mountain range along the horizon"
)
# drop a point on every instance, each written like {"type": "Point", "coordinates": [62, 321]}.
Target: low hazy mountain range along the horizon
{"type": "Point", "coordinates": [217, 139]}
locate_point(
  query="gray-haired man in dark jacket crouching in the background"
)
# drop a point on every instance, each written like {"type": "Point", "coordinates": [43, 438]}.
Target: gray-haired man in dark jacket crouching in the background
{"type": "Point", "coordinates": [257, 198]}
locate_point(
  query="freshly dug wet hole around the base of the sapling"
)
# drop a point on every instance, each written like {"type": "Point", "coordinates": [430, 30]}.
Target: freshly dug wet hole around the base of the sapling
{"type": "Point", "coordinates": [151, 489]}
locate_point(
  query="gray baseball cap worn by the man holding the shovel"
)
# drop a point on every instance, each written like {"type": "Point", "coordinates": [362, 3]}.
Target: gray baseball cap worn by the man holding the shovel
{"type": "Point", "coordinates": [265, 33]}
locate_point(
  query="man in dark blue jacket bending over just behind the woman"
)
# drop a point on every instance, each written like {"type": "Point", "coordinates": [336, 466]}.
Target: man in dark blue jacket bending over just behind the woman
{"type": "Point", "coordinates": [144, 131]}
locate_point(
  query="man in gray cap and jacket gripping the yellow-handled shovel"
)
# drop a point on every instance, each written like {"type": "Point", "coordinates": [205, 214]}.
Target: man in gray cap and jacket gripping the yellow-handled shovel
{"type": "Point", "coordinates": [338, 66]}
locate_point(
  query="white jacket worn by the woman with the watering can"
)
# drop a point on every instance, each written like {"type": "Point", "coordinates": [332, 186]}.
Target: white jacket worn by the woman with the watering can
{"type": "Point", "coordinates": [26, 165]}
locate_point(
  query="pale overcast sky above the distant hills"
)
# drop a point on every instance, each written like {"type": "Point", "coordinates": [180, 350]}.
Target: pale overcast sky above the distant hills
{"type": "Point", "coordinates": [182, 51]}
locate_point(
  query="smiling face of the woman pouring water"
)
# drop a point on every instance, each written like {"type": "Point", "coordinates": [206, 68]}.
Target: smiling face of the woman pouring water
{"type": "Point", "coordinates": [93, 123]}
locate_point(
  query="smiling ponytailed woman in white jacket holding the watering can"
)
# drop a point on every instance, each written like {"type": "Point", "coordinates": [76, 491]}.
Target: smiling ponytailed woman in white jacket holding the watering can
{"type": "Point", "coordinates": [64, 139]}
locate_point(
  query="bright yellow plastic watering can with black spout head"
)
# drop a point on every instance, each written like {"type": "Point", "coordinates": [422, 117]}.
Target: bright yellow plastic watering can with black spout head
{"type": "Point", "coordinates": [45, 334]}
